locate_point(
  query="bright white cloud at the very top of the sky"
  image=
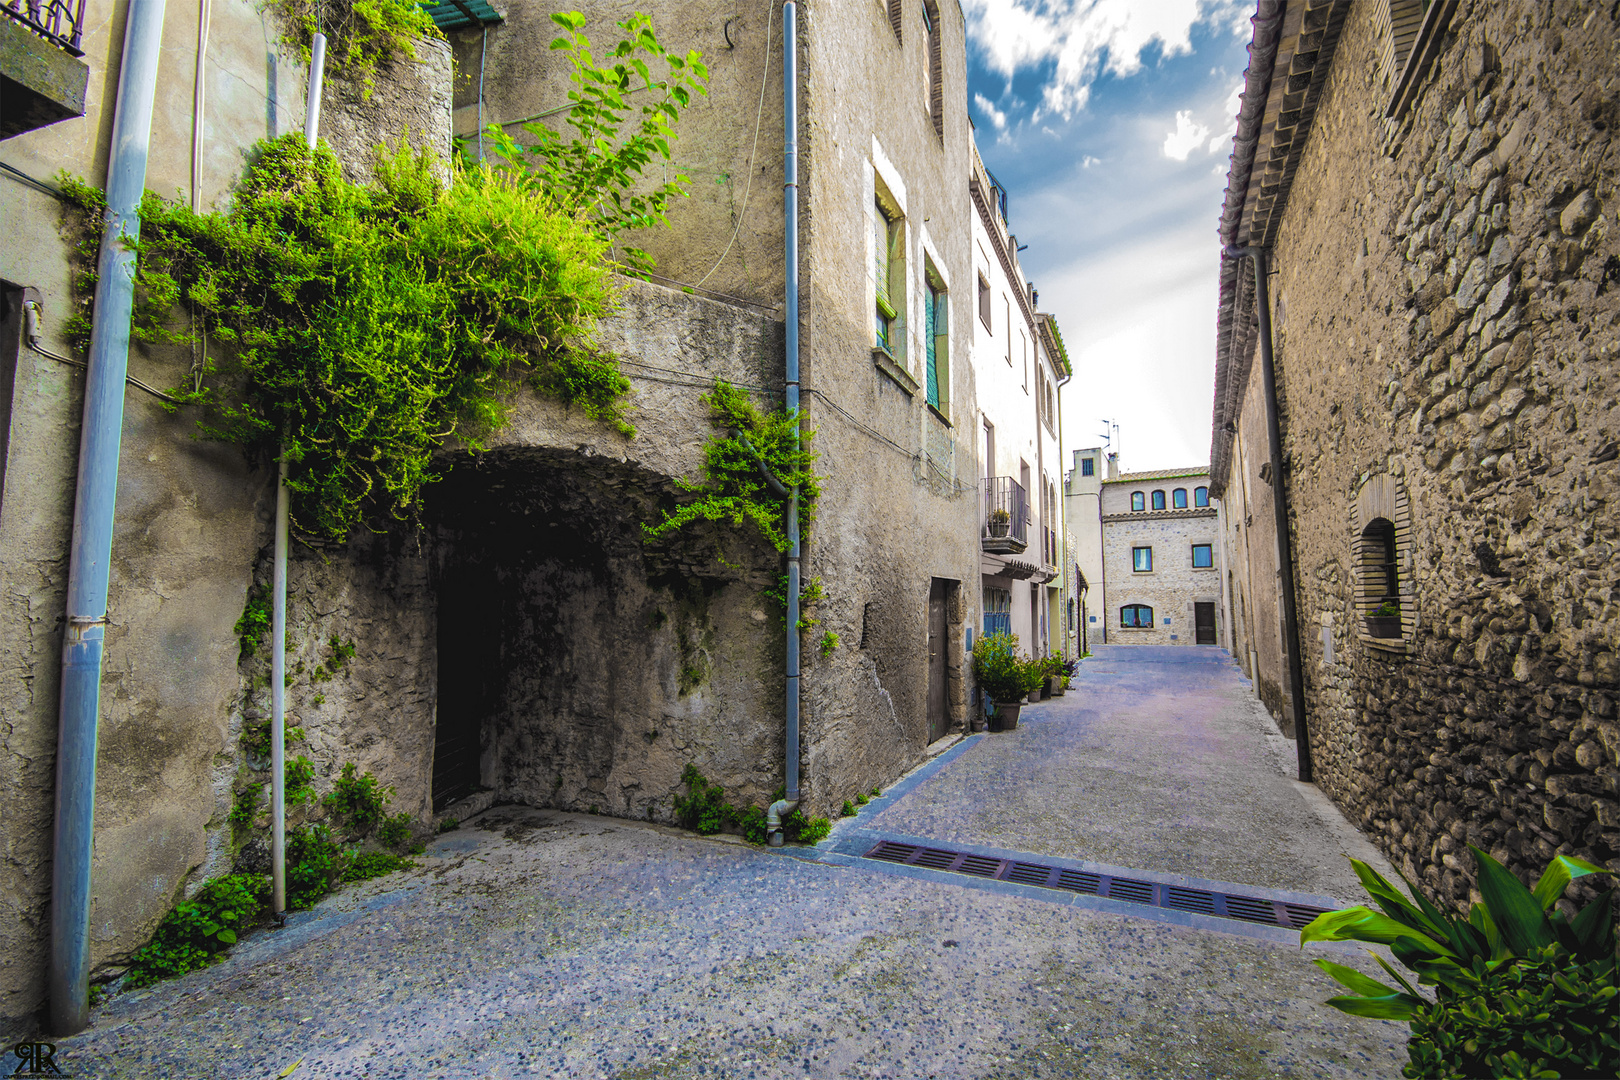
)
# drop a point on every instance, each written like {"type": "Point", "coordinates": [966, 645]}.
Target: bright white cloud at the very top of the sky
{"type": "Point", "coordinates": [1086, 38]}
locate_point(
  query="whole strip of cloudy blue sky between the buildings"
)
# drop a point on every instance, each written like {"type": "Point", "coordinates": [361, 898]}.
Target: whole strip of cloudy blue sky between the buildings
{"type": "Point", "coordinates": [1111, 124]}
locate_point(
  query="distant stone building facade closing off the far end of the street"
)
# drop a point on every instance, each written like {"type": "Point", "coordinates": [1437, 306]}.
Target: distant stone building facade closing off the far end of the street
{"type": "Point", "coordinates": [1161, 559]}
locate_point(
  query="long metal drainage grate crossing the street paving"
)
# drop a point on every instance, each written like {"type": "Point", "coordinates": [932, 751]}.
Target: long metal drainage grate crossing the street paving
{"type": "Point", "coordinates": [1200, 901]}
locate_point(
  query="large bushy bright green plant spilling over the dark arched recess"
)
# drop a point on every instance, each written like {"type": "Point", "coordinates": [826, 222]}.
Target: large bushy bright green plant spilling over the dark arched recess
{"type": "Point", "coordinates": [365, 325]}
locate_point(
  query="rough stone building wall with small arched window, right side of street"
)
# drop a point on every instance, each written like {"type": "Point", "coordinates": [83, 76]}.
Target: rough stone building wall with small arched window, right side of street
{"type": "Point", "coordinates": [1436, 190]}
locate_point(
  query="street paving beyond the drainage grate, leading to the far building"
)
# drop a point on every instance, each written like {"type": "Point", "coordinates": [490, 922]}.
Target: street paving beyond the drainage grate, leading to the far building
{"type": "Point", "coordinates": [1157, 759]}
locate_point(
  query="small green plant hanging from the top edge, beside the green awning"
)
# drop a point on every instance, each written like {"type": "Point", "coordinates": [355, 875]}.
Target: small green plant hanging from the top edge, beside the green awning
{"type": "Point", "coordinates": [360, 33]}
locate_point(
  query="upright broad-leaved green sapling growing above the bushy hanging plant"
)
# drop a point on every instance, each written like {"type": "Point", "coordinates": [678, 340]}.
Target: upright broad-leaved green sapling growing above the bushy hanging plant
{"type": "Point", "coordinates": [599, 174]}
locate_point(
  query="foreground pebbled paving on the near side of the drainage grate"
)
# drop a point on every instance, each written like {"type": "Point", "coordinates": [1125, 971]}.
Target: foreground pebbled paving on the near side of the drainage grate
{"type": "Point", "coordinates": [547, 945]}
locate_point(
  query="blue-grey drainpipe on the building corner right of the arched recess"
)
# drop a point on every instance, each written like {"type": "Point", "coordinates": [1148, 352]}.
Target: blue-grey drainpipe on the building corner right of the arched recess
{"type": "Point", "coordinates": [782, 809]}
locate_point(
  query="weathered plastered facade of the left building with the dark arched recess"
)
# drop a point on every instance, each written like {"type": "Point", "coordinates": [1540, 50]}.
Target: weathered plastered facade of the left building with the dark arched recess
{"type": "Point", "coordinates": [527, 644]}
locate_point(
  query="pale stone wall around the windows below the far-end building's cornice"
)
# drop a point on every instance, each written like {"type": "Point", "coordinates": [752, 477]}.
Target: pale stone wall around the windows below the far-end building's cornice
{"type": "Point", "coordinates": [1172, 587]}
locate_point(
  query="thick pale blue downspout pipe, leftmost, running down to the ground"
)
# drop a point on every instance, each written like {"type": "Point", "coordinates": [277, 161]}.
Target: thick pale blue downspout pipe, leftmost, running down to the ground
{"type": "Point", "coordinates": [93, 521]}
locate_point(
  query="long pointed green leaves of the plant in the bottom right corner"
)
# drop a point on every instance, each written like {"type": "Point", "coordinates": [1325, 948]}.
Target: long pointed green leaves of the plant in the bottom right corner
{"type": "Point", "coordinates": [1512, 924]}
